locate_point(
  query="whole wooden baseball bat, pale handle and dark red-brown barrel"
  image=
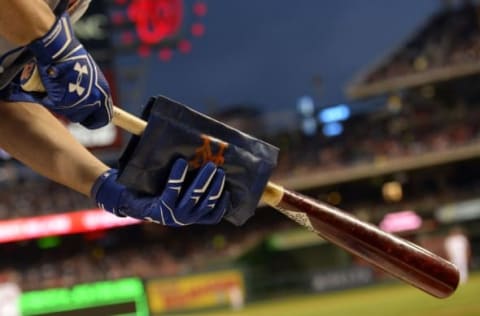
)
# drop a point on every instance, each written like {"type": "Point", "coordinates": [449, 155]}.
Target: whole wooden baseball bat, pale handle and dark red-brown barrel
{"type": "Point", "coordinates": [396, 256]}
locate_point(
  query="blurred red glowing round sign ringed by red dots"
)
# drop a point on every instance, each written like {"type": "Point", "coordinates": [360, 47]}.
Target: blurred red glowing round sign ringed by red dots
{"type": "Point", "coordinates": [163, 26]}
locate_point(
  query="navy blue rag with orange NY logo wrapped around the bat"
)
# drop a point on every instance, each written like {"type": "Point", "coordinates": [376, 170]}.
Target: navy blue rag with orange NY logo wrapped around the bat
{"type": "Point", "coordinates": [175, 130]}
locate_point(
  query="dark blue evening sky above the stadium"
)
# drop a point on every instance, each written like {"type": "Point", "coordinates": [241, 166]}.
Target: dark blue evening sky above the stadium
{"type": "Point", "coordinates": [267, 52]}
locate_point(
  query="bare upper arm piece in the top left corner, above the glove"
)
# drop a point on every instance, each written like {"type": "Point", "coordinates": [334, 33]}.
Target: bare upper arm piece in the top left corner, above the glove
{"type": "Point", "coordinates": [22, 21]}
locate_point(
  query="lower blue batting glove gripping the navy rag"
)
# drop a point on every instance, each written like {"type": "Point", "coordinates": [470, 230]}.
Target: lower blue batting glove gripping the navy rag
{"type": "Point", "coordinates": [201, 203]}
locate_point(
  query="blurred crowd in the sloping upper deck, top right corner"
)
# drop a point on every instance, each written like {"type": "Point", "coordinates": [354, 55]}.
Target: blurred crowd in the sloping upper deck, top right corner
{"type": "Point", "coordinates": [451, 37]}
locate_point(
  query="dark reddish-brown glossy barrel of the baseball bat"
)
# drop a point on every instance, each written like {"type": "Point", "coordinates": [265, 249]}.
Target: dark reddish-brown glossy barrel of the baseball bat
{"type": "Point", "coordinates": [404, 260]}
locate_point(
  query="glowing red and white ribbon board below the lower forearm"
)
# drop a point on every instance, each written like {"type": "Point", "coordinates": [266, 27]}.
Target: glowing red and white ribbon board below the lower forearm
{"type": "Point", "coordinates": [60, 224]}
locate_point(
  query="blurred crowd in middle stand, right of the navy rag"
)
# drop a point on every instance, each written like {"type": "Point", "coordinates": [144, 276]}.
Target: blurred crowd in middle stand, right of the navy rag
{"type": "Point", "coordinates": [415, 129]}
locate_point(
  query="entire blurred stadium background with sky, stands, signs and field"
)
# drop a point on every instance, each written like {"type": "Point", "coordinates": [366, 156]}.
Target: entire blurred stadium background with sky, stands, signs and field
{"type": "Point", "coordinates": [374, 105]}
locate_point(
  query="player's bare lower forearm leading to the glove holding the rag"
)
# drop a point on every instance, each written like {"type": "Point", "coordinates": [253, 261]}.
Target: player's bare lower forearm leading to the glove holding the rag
{"type": "Point", "coordinates": [34, 136]}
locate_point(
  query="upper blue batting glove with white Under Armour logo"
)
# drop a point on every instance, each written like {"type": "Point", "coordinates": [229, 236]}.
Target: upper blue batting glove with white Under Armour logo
{"type": "Point", "coordinates": [75, 86]}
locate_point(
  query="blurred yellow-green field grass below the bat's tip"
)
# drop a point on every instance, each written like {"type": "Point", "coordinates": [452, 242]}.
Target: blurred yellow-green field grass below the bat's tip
{"type": "Point", "coordinates": [384, 300]}
